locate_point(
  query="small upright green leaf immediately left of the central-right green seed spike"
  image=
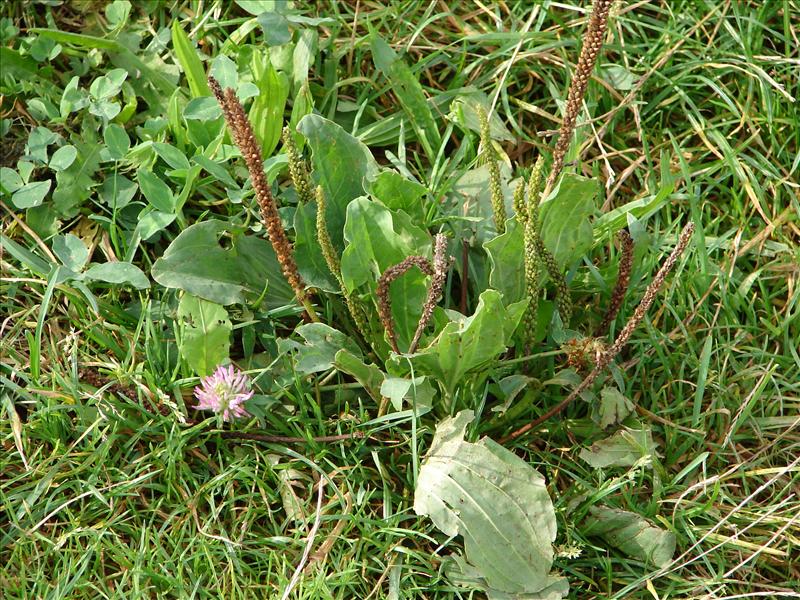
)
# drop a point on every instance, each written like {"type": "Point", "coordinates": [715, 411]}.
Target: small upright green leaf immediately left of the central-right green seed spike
{"type": "Point", "coordinates": [506, 257]}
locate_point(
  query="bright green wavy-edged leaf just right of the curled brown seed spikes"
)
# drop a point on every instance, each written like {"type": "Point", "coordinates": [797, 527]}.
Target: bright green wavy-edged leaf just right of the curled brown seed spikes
{"type": "Point", "coordinates": [468, 343]}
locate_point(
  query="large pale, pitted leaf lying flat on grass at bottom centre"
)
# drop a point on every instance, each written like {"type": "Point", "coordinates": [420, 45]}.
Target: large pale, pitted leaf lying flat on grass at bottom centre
{"type": "Point", "coordinates": [495, 501]}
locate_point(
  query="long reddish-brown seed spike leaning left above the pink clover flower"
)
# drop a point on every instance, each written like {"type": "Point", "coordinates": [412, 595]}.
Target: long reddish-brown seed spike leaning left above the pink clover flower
{"type": "Point", "coordinates": [245, 139]}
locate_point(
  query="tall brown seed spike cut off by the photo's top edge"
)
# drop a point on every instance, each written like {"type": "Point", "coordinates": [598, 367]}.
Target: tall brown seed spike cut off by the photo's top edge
{"type": "Point", "coordinates": [592, 44]}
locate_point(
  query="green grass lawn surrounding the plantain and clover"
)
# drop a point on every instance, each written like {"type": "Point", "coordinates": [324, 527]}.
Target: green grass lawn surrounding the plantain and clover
{"type": "Point", "coordinates": [104, 493]}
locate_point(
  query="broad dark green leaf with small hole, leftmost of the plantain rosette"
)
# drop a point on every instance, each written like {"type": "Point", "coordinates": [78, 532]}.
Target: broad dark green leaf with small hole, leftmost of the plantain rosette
{"type": "Point", "coordinates": [196, 262]}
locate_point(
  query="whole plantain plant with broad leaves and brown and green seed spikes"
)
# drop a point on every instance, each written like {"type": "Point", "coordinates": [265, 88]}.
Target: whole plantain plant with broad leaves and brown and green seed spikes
{"type": "Point", "coordinates": [445, 309]}
